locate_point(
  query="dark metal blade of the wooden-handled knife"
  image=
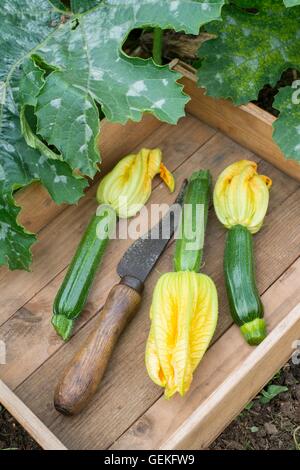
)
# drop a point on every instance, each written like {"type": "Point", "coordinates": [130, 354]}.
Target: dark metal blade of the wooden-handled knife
{"type": "Point", "coordinates": [142, 255]}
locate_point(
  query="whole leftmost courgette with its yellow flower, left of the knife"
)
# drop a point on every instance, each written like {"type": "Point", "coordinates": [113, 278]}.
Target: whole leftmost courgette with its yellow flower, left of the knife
{"type": "Point", "coordinates": [121, 193]}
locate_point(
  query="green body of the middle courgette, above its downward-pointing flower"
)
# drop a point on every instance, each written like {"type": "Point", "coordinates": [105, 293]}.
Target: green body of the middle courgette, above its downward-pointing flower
{"type": "Point", "coordinates": [189, 245]}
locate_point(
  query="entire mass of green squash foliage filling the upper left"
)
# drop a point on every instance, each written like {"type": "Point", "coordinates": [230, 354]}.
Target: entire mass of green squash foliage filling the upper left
{"type": "Point", "coordinates": [53, 76]}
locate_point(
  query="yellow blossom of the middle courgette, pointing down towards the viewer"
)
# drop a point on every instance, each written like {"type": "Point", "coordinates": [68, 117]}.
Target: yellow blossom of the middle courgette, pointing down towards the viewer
{"type": "Point", "coordinates": [183, 314]}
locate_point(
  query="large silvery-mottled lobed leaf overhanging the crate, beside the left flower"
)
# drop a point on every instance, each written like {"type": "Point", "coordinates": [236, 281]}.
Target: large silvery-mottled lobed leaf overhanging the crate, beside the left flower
{"type": "Point", "coordinates": [91, 68]}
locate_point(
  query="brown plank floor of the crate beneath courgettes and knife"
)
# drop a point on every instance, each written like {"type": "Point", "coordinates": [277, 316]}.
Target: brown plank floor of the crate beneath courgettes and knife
{"type": "Point", "coordinates": [36, 356]}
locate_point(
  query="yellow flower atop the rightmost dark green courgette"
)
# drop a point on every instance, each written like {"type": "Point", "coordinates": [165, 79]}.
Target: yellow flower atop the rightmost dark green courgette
{"type": "Point", "coordinates": [241, 196]}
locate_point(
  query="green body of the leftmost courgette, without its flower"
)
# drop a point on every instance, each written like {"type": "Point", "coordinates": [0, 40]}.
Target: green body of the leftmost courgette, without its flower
{"type": "Point", "coordinates": [73, 293]}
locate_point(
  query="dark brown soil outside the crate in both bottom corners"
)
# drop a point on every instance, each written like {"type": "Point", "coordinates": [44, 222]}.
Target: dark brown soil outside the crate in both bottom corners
{"type": "Point", "coordinates": [262, 427]}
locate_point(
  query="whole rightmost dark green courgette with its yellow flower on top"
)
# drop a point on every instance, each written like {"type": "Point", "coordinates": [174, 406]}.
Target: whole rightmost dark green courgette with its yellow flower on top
{"type": "Point", "coordinates": [241, 198]}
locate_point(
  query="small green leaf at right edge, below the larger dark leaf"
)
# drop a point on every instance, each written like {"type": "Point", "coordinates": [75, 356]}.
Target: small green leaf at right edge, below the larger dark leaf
{"type": "Point", "coordinates": [287, 126]}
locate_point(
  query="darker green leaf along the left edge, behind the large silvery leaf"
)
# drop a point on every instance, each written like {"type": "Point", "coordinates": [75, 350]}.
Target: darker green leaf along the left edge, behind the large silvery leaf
{"type": "Point", "coordinates": [23, 27]}
